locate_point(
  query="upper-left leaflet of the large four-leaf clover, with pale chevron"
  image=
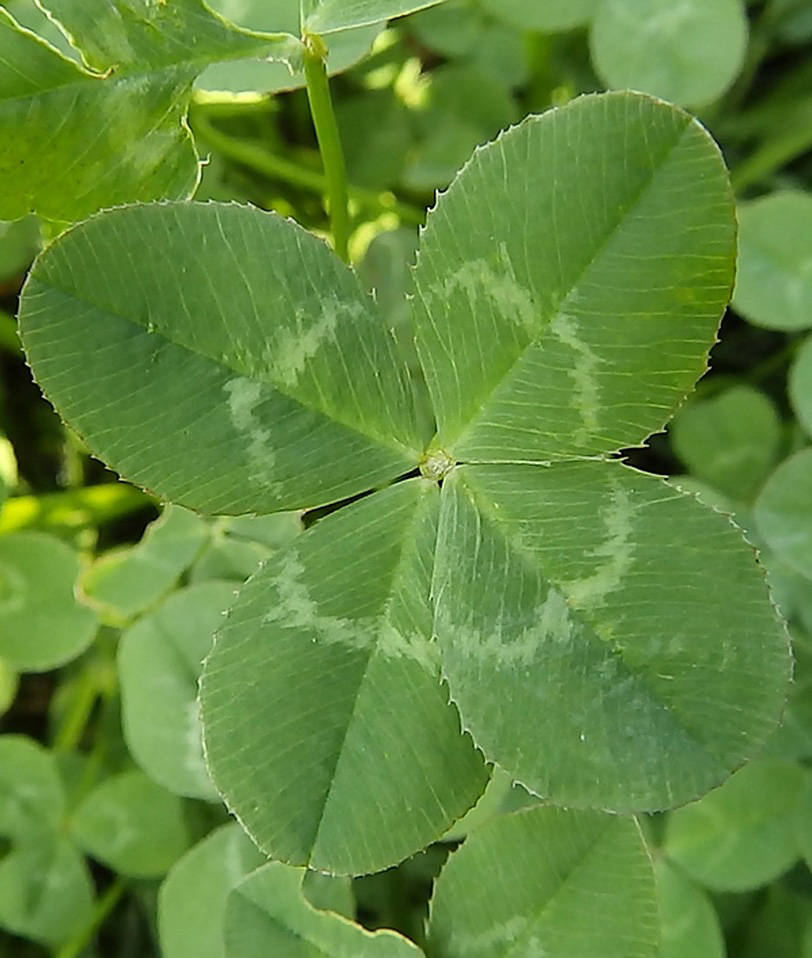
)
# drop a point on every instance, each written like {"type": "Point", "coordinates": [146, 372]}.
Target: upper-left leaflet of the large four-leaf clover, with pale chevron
{"type": "Point", "coordinates": [299, 397]}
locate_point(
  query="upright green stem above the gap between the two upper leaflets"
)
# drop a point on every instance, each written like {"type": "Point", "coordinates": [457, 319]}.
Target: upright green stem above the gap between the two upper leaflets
{"type": "Point", "coordinates": [324, 120]}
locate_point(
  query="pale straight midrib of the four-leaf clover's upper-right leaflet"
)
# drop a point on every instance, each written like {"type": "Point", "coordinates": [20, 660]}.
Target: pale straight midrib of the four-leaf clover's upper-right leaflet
{"type": "Point", "coordinates": [565, 295]}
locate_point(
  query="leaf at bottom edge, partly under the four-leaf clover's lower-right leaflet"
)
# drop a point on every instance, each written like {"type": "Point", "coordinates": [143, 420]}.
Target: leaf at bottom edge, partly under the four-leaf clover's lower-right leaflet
{"type": "Point", "coordinates": [546, 881]}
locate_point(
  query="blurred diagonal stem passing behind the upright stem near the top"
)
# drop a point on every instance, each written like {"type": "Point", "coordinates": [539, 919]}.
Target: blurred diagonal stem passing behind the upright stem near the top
{"type": "Point", "coordinates": [276, 167]}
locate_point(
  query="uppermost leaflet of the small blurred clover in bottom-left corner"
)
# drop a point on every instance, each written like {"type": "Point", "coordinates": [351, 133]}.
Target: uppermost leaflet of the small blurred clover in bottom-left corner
{"type": "Point", "coordinates": [32, 799]}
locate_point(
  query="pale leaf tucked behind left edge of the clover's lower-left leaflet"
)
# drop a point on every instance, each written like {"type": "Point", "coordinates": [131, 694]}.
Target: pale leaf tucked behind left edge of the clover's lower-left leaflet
{"type": "Point", "coordinates": [160, 659]}
